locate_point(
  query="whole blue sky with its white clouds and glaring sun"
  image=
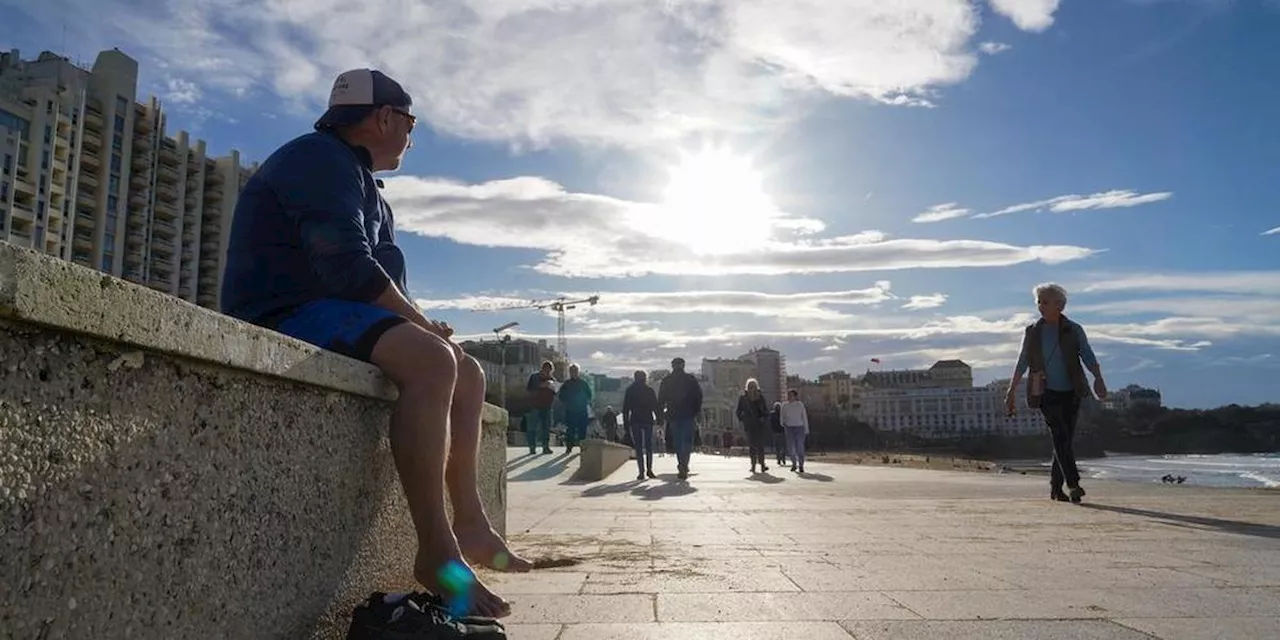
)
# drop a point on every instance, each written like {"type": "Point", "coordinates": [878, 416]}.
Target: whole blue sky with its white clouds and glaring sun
{"type": "Point", "coordinates": [815, 176]}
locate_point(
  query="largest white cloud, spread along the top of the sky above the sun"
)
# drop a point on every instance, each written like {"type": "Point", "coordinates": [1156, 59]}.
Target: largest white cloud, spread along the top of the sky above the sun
{"type": "Point", "coordinates": [538, 71]}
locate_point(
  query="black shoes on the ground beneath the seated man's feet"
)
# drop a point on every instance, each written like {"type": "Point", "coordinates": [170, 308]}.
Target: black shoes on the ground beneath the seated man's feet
{"type": "Point", "coordinates": [405, 618]}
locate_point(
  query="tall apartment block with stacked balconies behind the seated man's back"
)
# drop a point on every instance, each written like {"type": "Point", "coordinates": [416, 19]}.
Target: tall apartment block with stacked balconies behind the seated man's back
{"type": "Point", "coordinates": [92, 176]}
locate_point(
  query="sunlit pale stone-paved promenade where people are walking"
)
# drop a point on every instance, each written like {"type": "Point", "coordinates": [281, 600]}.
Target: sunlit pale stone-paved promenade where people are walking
{"type": "Point", "coordinates": [884, 554]}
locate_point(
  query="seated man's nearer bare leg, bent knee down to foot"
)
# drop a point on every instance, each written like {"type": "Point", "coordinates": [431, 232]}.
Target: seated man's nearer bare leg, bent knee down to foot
{"type": "Point", "coordinates": [424, 369]}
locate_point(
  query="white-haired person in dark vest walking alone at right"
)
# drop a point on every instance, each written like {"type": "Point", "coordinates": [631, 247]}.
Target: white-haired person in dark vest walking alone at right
{"type": "Point", "coordinates": [1054, 349]}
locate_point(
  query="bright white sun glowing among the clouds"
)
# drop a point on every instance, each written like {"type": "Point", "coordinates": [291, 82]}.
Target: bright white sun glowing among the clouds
{"type": "Point", "coordinates": [715, 203]}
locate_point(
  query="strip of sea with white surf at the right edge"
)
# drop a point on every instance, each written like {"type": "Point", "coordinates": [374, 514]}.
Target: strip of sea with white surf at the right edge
{"type": "Point", "coordinates": [1256, 470]}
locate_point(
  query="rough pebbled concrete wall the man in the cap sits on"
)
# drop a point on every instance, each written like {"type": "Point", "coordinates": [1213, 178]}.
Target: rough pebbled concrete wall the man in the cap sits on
{"type": "Point", "coordinates": [167, 472]}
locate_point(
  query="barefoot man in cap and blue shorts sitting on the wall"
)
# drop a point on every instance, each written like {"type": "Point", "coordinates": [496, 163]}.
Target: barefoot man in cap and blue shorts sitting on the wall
{"type": "Point", "coordinates": [313, 255]}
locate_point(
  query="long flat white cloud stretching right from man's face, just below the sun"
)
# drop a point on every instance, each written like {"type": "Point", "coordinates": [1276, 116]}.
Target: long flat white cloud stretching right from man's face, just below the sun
{"type": "Point", "coordinates": [592, 236]}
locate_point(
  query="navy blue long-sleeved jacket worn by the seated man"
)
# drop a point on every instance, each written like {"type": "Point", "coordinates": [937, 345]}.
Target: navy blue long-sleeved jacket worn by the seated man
{"type": "Point", "coordinates": [310, 225]}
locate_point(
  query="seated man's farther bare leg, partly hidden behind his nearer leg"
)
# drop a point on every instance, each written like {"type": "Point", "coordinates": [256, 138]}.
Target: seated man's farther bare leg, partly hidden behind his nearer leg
{"type": "Point", "coordinates": [479, 542]}
